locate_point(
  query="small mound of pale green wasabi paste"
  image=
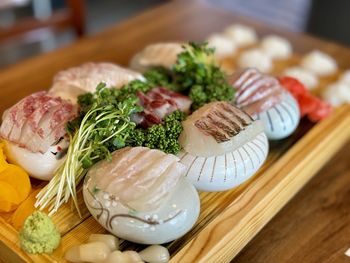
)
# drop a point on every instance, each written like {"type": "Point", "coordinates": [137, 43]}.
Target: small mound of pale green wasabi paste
{"type": "Point", "coordinates": [39, 234]}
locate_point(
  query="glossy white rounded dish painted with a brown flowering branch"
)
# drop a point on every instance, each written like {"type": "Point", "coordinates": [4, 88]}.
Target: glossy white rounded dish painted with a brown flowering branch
{"type": "Point", "coordinates": [174, 218]}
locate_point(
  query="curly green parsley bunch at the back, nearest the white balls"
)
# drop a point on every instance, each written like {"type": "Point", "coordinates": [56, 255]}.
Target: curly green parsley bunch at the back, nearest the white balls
{"type": "Point", "coordinates": [195, 74]}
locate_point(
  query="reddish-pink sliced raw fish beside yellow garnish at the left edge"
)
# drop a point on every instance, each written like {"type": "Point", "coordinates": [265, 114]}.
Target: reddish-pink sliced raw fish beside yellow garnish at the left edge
{"type": "Point", "coordinates": [37, 121]}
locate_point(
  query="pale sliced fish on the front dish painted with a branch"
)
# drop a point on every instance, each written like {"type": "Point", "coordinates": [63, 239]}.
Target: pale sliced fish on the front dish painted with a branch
{"type": "Point", "coordinates": [138, 177]}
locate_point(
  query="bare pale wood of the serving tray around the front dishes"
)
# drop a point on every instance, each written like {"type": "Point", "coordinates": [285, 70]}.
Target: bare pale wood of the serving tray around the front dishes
{"type": "Point", "coordinates": [228, 220]}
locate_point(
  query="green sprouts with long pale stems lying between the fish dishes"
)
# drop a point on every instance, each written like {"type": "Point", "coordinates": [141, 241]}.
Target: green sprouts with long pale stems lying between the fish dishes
{"type": "Point", "coordinates": [104, 127]}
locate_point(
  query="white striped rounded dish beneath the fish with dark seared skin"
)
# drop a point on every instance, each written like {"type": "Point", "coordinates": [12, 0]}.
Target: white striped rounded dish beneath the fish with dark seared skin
{"type": "Point", "coordinates": [223, 172]}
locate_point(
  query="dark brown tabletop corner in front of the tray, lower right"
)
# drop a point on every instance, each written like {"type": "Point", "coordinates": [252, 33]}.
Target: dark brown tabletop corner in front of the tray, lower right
{"type": "Point", "coordinates": [314, 227]}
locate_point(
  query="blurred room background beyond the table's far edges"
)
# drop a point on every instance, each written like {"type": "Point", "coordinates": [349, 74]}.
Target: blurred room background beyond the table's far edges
{"type": "Point", "coordinates": [26, 25]}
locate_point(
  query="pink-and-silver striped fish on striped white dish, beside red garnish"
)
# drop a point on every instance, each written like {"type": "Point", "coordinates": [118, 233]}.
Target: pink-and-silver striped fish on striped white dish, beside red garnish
{"type": "Point", "coordinates": [263, 97]}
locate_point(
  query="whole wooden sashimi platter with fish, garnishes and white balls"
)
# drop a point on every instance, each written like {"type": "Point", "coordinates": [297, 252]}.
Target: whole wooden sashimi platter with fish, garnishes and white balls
{"type": "Point", "coordinates": [153, 162]}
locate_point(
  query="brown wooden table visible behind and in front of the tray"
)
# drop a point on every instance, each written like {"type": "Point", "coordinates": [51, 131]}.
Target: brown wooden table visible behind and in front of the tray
{"type": "Point", "coordinates": [314, 227]}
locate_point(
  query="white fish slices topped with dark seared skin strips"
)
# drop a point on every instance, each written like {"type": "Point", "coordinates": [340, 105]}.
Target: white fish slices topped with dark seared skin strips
{"type": "Point", "coordinates": [217, 128]}
